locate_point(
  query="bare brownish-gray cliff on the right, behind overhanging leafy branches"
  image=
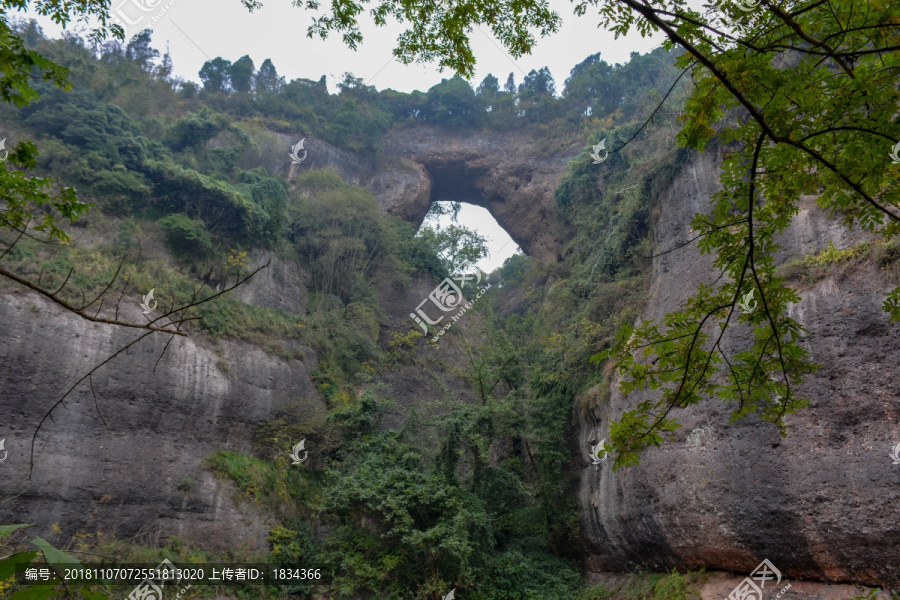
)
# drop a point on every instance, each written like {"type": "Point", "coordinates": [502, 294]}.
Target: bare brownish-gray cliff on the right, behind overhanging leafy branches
{"type": "Point", "coordinates": [822, 503]}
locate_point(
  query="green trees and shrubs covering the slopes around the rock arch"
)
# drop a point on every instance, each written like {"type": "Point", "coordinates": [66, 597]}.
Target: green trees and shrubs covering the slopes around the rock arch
{"type": "Point", "coordinates": [477, 496]}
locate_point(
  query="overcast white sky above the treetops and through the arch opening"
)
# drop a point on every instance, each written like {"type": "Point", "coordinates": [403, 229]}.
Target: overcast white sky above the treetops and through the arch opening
{"type": "Point", "coordinates": [199, 30]}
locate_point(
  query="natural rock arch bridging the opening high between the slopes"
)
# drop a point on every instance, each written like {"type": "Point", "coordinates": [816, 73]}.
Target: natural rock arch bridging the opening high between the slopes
{"type": "Point", "coordinates": [502, 172]}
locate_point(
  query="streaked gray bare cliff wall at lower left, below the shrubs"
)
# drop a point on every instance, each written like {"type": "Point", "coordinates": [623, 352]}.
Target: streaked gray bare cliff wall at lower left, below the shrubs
{"type": "Point", "coordinates": [201, 398]}
